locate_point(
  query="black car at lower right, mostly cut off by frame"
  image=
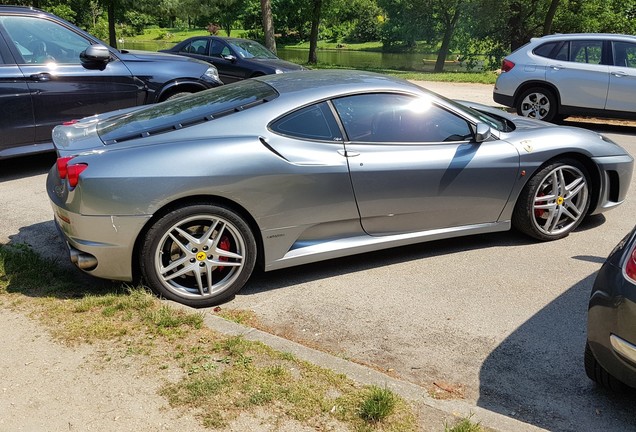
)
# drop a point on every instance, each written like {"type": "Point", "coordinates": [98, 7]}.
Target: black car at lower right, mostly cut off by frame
{"type": "Point", "coordinates": [610, 352]}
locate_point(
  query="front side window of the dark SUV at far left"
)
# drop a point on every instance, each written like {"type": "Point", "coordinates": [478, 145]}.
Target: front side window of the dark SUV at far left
{"type": "Point", "coordinates": [39, 40]}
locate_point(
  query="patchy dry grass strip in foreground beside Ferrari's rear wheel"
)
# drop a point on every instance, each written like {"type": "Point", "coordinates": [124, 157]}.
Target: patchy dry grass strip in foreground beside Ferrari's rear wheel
{"type": "Point", "coordinates": [222, 377]}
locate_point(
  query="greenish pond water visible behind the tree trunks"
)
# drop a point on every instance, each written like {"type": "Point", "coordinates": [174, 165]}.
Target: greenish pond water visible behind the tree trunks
{"type": "Point", "coordinates": [338, 57]}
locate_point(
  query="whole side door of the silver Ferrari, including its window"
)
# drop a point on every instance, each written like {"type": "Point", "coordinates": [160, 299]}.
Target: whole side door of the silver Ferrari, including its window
{"type": "Point", "coordinates": [414, 168]}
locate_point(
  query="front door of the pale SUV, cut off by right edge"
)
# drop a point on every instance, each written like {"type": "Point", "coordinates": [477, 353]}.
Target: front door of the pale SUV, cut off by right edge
{"type": "Point", "coordinates": [622, 78]}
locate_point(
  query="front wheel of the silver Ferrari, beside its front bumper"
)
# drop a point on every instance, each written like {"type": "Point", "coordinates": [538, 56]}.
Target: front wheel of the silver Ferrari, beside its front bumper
{"type": "Point", "coordinates": [554, 201]}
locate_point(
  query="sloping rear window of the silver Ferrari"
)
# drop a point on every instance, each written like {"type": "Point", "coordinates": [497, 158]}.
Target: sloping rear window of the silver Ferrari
{"type": "Point", "coordinates": [186, 111]}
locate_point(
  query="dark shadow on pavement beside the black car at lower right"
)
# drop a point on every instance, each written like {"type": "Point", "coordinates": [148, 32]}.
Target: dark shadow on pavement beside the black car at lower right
{"type": "Point", "coordinates": [536, 375]}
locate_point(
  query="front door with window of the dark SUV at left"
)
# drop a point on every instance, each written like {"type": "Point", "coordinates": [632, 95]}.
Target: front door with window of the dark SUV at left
{"type": "Point", "coordinates": [61, 87]}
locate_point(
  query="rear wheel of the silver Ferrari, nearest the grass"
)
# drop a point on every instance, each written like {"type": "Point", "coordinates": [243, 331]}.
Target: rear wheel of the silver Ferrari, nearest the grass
{"type": "Point", "coordinates": [199, 255]}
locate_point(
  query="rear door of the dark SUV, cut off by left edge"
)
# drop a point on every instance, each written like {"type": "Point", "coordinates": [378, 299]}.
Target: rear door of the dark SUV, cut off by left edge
{"type": "Point", "coordinates": [16, 106]}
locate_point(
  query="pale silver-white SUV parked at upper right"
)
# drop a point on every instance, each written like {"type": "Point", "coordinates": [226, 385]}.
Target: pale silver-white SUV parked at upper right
{"type": "Point", "coordinates": [571, 74]}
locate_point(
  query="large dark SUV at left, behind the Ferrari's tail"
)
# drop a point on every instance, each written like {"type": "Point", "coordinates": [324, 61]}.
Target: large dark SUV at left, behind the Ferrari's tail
{"type": "Point", "coordinates": [51, 72]}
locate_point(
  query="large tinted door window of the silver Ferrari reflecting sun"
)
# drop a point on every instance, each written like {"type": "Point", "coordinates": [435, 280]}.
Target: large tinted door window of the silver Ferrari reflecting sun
{"type": "Point", "coordinates": [386, 117]}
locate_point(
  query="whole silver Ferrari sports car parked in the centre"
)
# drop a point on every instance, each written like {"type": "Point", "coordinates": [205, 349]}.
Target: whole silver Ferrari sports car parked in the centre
{"type": "Point", "coordinates": [191, 194]}
